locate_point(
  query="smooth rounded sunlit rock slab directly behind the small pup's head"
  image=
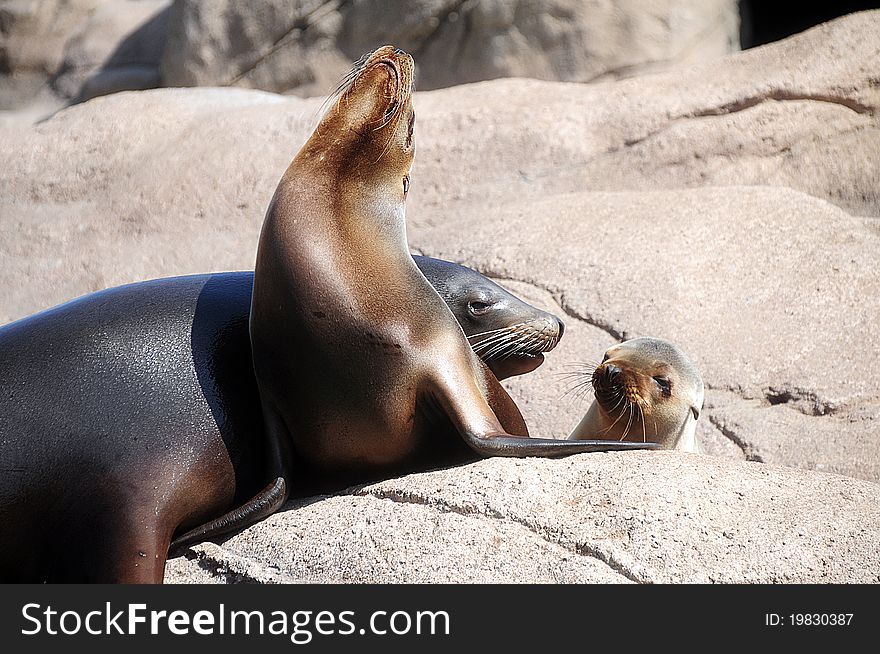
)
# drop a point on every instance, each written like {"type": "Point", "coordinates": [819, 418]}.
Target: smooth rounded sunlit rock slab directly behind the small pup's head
{"type": "Point", "coordinates": [694, 266]}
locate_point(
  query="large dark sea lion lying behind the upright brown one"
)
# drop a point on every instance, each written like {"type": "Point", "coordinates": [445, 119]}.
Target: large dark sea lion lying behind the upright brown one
{"type": "Point", "coordinates": [131, 415]}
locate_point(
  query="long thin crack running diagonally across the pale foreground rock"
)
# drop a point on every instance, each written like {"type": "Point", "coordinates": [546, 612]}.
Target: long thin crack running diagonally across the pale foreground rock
{"type": "Point", "coordinates": [443, 506]}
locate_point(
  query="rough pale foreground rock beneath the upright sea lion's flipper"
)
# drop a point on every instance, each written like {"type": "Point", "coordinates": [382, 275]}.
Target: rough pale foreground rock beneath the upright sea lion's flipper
{"type": "Point", "coordinates": [658, 517]}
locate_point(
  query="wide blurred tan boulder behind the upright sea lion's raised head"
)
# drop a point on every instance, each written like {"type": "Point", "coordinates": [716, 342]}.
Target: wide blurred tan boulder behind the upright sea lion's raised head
{"type": "Point", "coordinates": [304, 47]}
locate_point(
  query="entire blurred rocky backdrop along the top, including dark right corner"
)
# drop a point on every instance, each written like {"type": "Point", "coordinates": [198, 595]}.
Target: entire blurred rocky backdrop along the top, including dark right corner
{"type": "Point", "coordinates": [57, 52]}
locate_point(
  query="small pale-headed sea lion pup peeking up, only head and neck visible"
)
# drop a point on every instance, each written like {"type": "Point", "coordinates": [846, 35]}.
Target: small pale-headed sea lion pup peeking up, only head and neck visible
{"type": "Point", "coordinates": [646, 390]}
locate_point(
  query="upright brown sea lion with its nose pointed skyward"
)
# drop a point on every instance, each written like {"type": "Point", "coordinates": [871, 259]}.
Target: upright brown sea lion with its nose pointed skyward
{"type": "Point", "coordinates": [363, 371]}
